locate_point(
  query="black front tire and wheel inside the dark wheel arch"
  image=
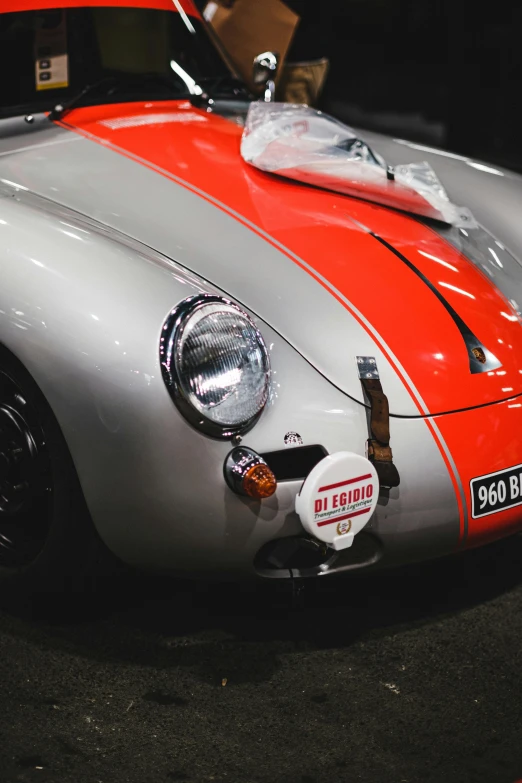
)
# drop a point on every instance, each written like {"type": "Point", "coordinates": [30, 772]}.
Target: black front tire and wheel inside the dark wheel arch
{"type": "Point", "coordinates": [50, 552]}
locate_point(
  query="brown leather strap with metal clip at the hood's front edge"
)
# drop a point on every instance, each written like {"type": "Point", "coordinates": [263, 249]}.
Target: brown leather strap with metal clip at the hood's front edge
{"type": "Point", "coordinates": [379, 451]}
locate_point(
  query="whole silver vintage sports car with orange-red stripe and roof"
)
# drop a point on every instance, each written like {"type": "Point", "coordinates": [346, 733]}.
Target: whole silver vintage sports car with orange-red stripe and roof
{"type": "Point", "coordinates": [211, 363]}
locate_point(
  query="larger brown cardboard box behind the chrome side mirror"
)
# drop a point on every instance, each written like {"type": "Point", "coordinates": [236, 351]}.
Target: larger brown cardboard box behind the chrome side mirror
{"type": "Point", "coordinates": [247, 28]}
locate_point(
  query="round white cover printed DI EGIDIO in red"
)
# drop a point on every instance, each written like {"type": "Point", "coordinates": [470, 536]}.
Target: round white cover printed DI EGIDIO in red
{"type": "Point", "coordinates": [338, 498]}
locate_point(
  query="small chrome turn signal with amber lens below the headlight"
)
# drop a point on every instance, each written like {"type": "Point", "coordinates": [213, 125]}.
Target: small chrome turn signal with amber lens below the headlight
{"type": "Point", "coordinates": [247, 473]}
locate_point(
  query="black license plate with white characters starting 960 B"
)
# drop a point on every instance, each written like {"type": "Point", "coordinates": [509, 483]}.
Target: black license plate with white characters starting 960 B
{"type": "Point", "coordinates": [496, 491]}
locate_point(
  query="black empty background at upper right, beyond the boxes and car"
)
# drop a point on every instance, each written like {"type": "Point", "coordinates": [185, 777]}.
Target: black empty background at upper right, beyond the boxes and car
{"type": "Point", "coordinates": [443, 72]}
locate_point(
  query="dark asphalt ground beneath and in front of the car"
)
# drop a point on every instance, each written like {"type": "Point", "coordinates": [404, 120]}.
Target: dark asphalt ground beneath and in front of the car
{"type": "Point", "coordinates": [408, 676]}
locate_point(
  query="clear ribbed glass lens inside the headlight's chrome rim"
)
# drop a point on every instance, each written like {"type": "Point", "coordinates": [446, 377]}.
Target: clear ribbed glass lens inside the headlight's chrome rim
{"type": "Point", "coordinates": [221, 364]}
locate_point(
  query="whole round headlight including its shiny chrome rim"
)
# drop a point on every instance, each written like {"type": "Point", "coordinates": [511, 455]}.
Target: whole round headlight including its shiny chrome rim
{"type": "Point", "coordinates": [215, 363]}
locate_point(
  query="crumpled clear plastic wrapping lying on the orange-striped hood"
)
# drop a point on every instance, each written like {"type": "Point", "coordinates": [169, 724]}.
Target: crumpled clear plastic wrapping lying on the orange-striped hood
{"type": "Point", "coordinates": [306, 145]}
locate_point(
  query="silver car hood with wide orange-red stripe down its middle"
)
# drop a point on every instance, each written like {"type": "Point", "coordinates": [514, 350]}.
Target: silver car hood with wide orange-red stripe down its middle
{"type": "Point", "coordinates": [337, 277]}
